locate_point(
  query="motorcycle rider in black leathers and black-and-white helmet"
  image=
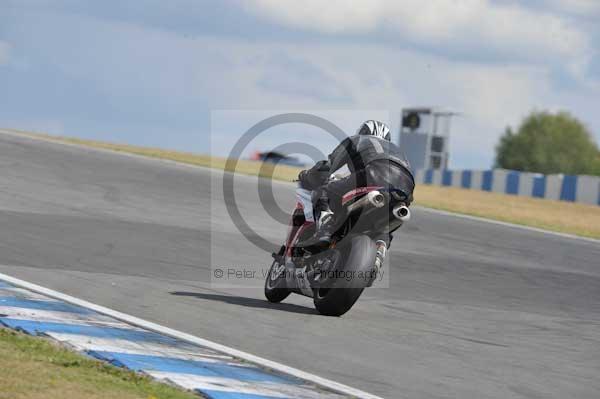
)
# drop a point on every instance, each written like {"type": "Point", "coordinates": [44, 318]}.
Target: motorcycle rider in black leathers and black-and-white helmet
{"type": "Point", "coordinates": [373, 160]}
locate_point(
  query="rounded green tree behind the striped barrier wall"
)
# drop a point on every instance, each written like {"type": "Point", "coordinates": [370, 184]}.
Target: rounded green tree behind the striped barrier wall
{"type": "Point", "coordinates": [549, 143]}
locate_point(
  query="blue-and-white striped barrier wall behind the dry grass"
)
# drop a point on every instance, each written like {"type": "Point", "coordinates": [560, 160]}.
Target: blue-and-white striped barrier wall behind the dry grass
{"type": "Point", "coordinates": [584, 189]}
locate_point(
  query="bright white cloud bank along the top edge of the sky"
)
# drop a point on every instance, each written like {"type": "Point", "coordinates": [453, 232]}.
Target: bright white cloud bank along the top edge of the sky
{"type": "Point", "coordinates": [477, 24]}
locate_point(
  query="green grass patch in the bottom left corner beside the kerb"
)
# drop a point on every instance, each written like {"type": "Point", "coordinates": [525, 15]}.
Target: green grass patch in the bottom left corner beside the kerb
{"type": "Point", "coordinates": [33, 367]}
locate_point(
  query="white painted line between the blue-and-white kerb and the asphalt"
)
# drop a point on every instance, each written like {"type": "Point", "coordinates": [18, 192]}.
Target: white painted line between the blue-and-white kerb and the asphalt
{"type": "Point", "coordinates": [335, 386]}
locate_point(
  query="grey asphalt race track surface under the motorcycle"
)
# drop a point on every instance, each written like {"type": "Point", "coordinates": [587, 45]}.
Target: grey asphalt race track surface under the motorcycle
{"type": "Point", "coordinates": [473, 309]}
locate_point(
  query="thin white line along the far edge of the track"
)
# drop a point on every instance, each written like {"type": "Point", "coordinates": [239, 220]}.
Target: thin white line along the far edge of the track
{"type": "Point", "coordinates": [15, 133]}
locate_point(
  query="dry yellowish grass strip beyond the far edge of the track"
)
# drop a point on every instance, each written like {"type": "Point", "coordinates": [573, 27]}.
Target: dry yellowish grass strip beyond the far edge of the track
{"type": "Point", "coordinates": [559, 216]}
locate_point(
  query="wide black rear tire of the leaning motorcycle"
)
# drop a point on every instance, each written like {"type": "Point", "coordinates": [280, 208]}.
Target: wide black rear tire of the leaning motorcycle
{"type": "Point", "coordinates": [343, 294]}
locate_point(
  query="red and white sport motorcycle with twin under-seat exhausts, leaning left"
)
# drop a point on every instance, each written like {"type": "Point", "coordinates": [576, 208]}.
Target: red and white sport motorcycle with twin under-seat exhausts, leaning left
{"type": "Point", "coordinates": [336, 276]}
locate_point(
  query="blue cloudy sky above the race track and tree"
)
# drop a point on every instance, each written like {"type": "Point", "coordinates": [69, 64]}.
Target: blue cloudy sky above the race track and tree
{"type": "Point", "coordinates": [150, 72]}
